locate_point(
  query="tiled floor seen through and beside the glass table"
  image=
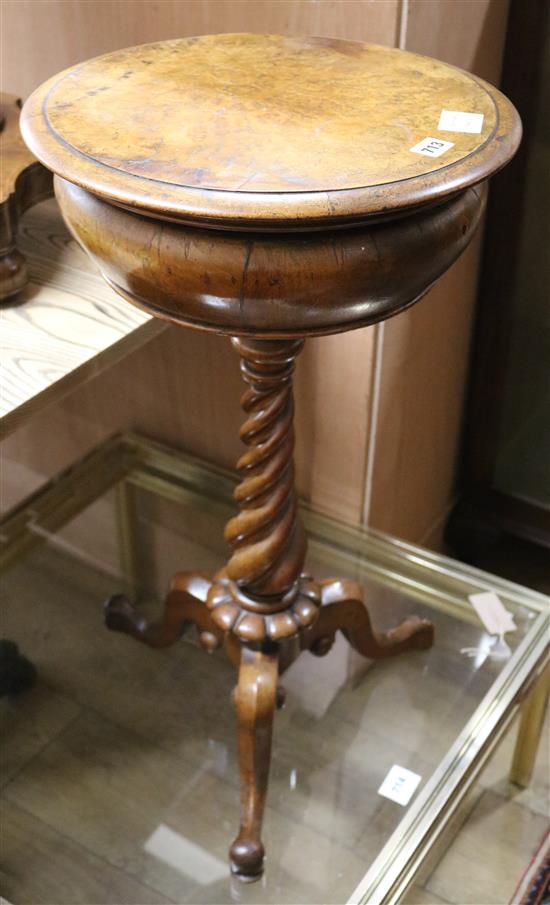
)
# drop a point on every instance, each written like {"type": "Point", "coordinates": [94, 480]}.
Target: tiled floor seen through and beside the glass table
{"type": "Point", "coordinates": [119, 769]}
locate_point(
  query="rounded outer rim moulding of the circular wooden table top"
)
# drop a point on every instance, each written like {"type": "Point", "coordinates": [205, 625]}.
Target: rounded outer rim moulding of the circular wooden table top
{"type": "Point", "coordinates": [276, 209]}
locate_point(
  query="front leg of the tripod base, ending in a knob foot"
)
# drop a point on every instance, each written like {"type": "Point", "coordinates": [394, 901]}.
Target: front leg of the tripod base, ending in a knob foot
{"type": "Point", "coordinates": [255, 701]}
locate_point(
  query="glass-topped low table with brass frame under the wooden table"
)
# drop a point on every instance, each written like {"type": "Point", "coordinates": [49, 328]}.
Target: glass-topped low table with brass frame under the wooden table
{"type": "Point", "coordinates": [123, 782]}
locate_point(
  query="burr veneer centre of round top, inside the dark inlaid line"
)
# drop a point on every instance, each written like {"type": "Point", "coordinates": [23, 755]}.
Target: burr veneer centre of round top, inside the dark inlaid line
{"type": "Point", "coordinates": [263, 113]}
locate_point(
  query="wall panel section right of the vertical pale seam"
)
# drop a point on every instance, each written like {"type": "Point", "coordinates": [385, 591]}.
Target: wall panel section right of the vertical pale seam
{"type": "Point", "coordinates": [425, 351]}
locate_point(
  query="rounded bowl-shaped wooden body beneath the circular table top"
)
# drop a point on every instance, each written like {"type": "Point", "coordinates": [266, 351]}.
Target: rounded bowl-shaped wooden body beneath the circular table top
{"type": "Point", "coordinates": [267, 285]}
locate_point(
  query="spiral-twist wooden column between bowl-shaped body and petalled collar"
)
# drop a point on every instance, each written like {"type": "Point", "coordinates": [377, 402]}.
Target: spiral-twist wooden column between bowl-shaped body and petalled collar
{"type": "Point", "coordinates": [267, 537]}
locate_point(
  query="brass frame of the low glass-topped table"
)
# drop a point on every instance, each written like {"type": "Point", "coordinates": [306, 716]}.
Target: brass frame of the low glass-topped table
{"type": "Point", "coordinates": [128, 462]}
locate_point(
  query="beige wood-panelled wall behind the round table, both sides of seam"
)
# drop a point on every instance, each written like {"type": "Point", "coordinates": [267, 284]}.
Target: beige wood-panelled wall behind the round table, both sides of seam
{"type": "Point", "coordinates": [378, 410]}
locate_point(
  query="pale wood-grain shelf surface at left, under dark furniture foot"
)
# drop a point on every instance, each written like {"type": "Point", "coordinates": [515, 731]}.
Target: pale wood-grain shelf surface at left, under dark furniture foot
{"type": "Point", "coordinates": [65, 326]}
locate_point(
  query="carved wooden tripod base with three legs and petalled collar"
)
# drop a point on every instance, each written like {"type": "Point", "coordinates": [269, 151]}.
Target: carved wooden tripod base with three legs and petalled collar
{"type": "Point", "coordinates": [325, 607]}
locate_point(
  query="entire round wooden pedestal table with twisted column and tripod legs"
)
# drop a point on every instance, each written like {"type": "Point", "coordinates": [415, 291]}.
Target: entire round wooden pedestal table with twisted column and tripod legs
{"type": "Point", "coordinates": [272, 189]}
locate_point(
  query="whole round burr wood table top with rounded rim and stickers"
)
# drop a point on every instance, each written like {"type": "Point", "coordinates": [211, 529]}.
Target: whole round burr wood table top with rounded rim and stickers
{"type": "Point", "coordinates": [269, 131]}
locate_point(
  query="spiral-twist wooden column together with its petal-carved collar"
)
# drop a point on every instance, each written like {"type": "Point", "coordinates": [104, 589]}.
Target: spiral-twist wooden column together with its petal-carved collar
{"type": "Point", "coordinates": [259, 595]}
